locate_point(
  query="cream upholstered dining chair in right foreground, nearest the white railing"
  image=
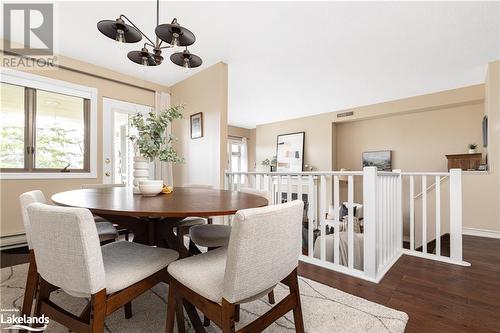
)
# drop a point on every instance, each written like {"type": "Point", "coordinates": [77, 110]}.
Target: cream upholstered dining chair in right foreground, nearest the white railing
{"type": "Point", "coordinates": [263, 251]}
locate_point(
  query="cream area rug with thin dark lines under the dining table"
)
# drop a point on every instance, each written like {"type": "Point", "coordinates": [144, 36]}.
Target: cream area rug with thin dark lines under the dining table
{"type": "Point", "coordinates": [325, 309]}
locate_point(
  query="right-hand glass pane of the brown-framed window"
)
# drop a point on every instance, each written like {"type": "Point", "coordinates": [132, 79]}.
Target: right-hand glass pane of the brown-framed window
{"type": "Point", "coordinates": [60, 128]}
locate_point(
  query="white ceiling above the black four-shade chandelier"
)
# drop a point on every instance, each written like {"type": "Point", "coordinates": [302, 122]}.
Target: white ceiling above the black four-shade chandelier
{"type": "Point", "coordinates": [292, 59]}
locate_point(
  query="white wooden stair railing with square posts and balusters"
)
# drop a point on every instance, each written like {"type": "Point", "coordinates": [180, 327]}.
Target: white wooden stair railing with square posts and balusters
{"type": "Point", "coordinates": [370, 254]}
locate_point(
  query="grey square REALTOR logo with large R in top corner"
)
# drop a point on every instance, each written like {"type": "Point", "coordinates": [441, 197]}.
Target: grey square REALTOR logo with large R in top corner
{"type": "Point", "coordinates": [28, 35]}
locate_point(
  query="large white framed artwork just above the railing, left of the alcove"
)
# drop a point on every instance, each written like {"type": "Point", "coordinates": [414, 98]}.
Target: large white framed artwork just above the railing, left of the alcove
{"type": "Point", "coordinates": [290, 152]}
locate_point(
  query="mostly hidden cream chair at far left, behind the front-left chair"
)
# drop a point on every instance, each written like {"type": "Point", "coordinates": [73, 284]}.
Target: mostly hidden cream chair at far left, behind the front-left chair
{"type": "Point", "coordinates": [105, 231]}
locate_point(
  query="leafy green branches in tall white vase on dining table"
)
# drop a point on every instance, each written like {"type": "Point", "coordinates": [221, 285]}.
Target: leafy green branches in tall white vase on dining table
{"type": "Point", "coordinates": [151, 142]}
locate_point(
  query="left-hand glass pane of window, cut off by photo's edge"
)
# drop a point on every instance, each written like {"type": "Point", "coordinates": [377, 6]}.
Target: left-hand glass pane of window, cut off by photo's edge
{"type": "Point", "coordinates": [11, 126]}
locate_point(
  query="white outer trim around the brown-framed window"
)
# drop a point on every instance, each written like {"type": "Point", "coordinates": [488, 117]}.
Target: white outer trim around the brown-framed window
{"type": "Point", "coordinates": [62, 87]}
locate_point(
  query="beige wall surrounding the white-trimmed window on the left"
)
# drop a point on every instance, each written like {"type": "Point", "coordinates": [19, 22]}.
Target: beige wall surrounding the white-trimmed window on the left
{"type": "Point", "coordinates": [10, 190]}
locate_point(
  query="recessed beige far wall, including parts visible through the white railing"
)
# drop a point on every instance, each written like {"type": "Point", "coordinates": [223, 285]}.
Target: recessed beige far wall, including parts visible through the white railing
{"type": "Point", "coordinates": [418, 142]}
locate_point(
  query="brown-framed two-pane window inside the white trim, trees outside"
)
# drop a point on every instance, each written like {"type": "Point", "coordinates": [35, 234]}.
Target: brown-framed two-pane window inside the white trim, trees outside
{"type": "Point", "coordinates": [43, 131]}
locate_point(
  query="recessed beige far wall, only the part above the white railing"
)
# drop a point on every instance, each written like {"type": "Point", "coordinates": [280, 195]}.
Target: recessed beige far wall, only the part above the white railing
{"type": "Point", "coordinates": [418, 141]}
